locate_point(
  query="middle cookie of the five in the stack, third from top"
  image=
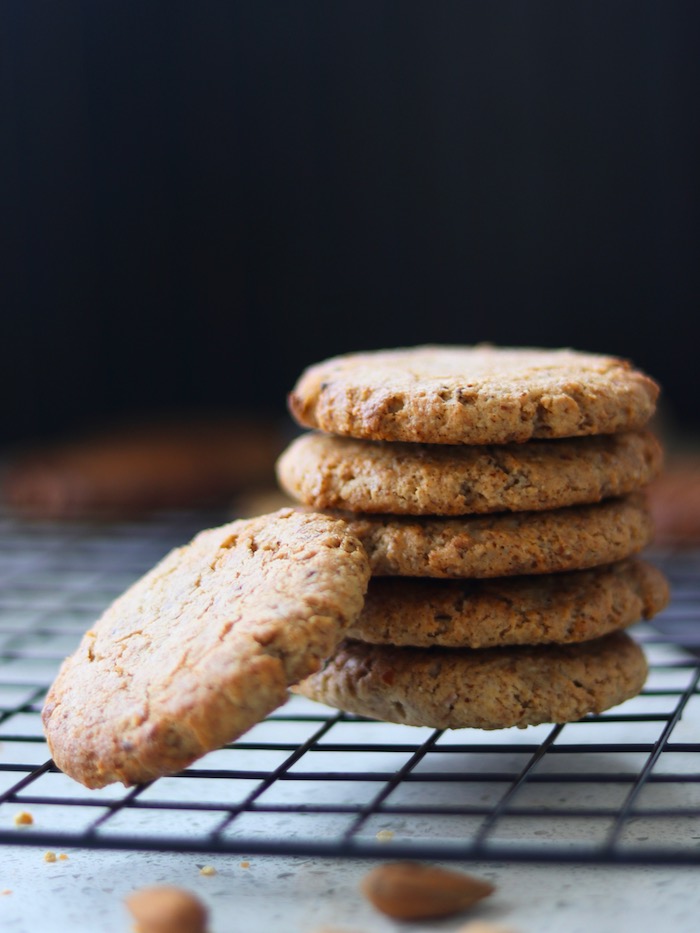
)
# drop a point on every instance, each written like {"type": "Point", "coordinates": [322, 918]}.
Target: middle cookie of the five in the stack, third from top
{"type": "Point", "coordinates": [504, 544]}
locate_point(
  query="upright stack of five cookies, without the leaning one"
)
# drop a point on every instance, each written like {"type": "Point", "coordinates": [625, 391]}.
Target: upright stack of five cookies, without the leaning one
{"type": "Point", "coordinates": [499, 496]}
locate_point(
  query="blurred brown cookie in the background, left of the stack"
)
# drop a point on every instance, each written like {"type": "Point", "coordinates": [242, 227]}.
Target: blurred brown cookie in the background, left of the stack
{"type": "Point", "coordinates": [138, 468]}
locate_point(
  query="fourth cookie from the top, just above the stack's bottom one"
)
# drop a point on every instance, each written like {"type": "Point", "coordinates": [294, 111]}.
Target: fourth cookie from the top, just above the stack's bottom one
{"type": "Point", "coordinates": [553, 608]}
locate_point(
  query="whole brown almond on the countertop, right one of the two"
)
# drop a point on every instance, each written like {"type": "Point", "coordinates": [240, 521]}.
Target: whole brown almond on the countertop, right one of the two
{"type": "Point", "coordinates": [411, 891]}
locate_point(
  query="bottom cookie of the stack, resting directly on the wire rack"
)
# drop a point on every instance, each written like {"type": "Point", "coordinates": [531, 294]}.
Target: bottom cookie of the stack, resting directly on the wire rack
{"type": "Point", "coordinates": [491, 689]}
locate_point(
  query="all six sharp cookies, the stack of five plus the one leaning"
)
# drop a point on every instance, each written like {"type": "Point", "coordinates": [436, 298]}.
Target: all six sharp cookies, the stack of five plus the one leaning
{"type": "Point", "coordinates": [495, 499]}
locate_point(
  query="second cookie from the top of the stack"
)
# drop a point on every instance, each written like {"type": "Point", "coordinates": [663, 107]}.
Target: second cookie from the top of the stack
{"type": "Point", "coordinates": [330, 472]}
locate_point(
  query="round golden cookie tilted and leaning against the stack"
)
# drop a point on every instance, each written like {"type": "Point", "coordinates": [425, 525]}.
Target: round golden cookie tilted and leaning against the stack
{"type": "Point", "coordinates": [204, 646]}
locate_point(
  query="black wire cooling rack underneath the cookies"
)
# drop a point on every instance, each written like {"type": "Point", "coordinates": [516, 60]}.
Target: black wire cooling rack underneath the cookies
{"type": "Point", "coordinates": [622, 787]}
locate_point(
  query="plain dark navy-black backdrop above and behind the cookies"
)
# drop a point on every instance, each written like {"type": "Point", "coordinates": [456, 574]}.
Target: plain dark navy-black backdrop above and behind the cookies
{"type": "Point", "coordinates": [198, 199]}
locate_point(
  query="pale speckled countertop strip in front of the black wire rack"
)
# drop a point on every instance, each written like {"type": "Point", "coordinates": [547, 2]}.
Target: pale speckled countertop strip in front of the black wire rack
{"type": "Point", "coordinates": [85, 895]}
